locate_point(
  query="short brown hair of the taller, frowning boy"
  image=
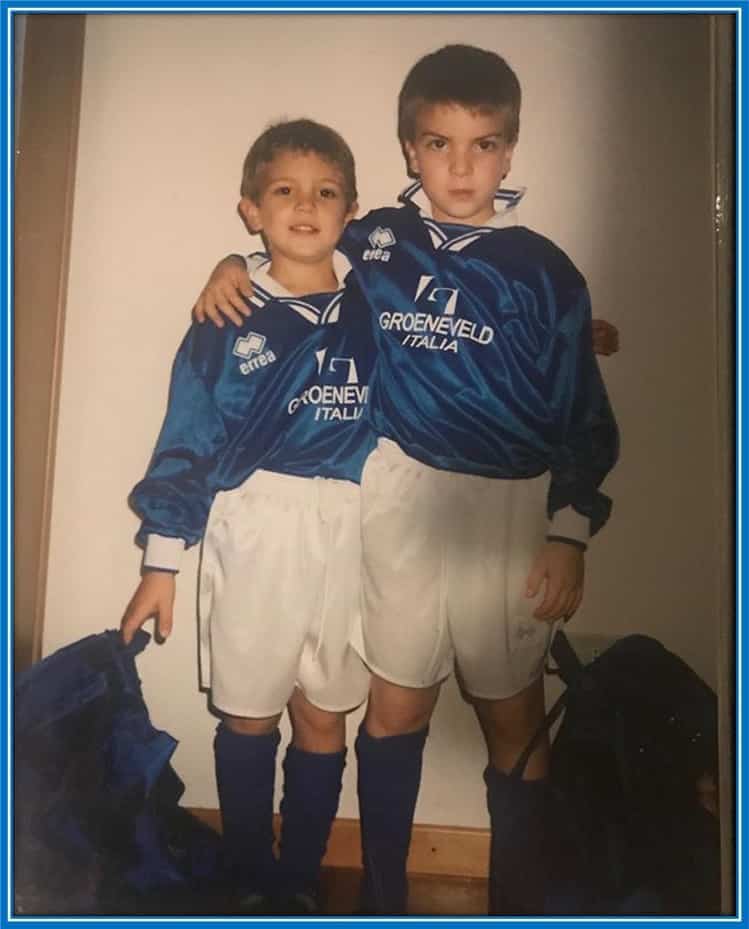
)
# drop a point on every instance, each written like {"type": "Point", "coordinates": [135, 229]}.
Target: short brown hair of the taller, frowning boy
{"type": "Point", "coordinates": [472, 77]}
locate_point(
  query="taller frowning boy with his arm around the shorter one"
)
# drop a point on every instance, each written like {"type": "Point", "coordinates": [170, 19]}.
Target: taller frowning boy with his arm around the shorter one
{"type": "Point", "coordinates": [495, 434]}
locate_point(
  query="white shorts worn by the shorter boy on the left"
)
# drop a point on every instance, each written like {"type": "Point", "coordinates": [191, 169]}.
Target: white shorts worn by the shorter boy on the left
{"type": "Point", "coordinates": [279, 594]}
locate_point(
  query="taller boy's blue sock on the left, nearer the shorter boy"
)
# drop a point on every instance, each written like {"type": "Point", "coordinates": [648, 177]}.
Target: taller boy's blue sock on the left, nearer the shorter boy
{"type": "Point", "coordinates": [388, 785]}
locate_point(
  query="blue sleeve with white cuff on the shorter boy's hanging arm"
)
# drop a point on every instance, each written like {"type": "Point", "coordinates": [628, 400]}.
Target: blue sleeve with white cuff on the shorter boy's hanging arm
{"type": "Point", "coordinates": [175, 496]}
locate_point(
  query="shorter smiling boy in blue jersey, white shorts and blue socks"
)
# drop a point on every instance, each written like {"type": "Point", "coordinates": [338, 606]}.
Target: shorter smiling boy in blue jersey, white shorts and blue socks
{"type": "Point", "coordinates": [260, 454]}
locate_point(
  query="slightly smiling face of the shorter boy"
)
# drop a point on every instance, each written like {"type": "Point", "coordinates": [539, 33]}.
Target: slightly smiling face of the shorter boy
{"type": "Point", "coordinates": [301, 209]}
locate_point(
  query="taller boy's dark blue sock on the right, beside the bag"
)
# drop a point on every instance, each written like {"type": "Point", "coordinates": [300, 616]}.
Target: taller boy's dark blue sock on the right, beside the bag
{"type": "Point", "coordinates": [517, 863]}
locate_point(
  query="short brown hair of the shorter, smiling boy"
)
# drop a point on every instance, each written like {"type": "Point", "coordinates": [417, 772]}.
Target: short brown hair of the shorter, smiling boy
{"type": "Point", "coordinates": [298, 135]}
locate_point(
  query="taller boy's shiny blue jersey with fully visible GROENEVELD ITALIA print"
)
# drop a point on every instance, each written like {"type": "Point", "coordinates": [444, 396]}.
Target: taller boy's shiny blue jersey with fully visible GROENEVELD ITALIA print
{"type": "Point", "coordinates": [485, 362]}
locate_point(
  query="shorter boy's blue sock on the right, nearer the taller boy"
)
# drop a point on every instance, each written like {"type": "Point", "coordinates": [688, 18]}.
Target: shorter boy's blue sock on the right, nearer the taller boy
{"type": "Point", "coordinates": [312, 787]}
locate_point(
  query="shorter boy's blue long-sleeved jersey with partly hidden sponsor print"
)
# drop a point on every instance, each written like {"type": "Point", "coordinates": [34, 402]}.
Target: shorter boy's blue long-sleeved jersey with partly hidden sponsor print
{"type": "Point", "coordinates": [286, 391]}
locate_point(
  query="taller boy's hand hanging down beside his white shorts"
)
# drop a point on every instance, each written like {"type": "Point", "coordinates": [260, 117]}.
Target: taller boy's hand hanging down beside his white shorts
{"type": "Point", "coordinates": [562, 567]}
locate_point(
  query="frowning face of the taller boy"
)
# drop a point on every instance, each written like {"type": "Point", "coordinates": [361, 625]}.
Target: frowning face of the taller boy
{"type": "Point", "coordinates": [461, 156]}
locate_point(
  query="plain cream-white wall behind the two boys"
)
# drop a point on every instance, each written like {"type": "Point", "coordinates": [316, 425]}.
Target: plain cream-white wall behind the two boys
{"type": "Point", "coordinates": [614, 148]}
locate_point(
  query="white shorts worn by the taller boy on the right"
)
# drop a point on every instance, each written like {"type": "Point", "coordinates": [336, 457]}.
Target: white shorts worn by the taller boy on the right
{"type": "Point", "coordinates": [445, 559]}
